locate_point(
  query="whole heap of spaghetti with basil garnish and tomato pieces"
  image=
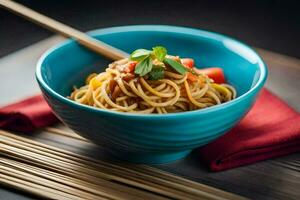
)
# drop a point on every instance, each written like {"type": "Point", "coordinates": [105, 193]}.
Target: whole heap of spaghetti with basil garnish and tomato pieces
{"type": "Point", "coordinates": [154, 82]}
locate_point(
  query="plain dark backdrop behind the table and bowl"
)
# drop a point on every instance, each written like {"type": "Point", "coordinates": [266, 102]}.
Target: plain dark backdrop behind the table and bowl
{"type": "Point", "coordinates": [273, 25]}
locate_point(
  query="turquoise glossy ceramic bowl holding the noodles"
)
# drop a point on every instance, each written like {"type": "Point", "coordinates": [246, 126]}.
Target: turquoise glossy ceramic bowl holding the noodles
{"type": "Point", "coordinates": [151, 138]}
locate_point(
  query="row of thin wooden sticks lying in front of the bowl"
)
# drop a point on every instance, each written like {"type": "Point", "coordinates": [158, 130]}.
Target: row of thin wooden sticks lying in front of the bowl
{"type": "Point", "coordinates": [33, 166]}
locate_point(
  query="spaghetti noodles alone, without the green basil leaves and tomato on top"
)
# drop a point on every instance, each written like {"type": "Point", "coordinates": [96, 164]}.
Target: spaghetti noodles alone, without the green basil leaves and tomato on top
{"type": "Point", "coordinates": [118, 90]}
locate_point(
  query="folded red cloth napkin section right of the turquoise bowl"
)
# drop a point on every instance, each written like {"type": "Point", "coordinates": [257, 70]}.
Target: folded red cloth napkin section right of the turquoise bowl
{"type": "Point", "coordinates": [269, 130]}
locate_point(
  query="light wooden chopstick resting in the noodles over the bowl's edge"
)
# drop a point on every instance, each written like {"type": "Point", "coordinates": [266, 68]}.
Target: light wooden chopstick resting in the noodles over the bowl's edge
{"type": "Point", "coordinates": [67, 31]}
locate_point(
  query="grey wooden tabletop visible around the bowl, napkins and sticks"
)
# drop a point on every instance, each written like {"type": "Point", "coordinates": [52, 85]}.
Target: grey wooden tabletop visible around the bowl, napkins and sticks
{"type": "Point", "coordinates": [272, 179]}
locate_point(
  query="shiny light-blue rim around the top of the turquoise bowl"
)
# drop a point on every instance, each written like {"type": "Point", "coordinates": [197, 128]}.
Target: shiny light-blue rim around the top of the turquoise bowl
{"type": "Point", "coordinates": [159, 28]}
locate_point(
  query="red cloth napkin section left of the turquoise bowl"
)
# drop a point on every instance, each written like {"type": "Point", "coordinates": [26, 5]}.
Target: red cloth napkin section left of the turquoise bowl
{"type": "Point", "coordinates": [27, 115]}
